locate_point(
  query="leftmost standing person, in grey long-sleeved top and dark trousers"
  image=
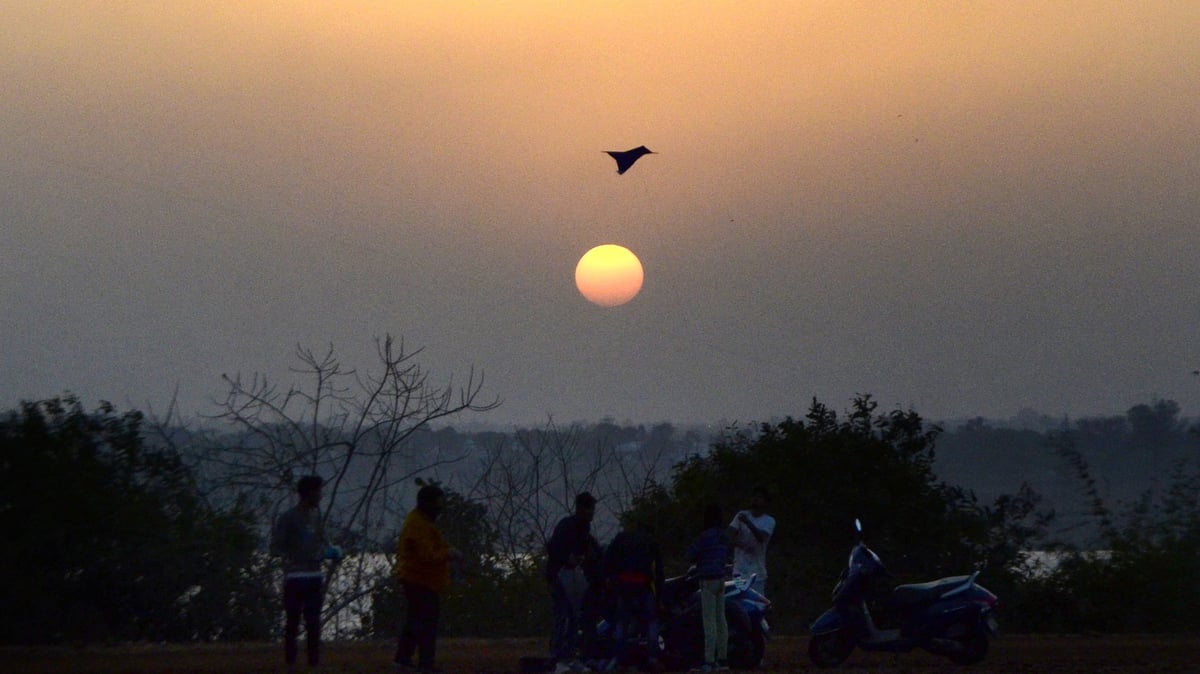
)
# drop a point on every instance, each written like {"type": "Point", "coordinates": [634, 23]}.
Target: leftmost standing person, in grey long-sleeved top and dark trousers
{"type": "Point", "coordinates": [299, 538]}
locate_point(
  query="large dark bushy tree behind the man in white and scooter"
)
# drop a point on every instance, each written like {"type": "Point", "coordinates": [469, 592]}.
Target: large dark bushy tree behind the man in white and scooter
{"type": "Point", "coordinates": [824, 472]}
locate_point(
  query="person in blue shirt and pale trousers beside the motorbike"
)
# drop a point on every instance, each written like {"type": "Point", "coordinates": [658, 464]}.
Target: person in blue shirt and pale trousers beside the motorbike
{"type": "Point", "coordinates": [710, 553]}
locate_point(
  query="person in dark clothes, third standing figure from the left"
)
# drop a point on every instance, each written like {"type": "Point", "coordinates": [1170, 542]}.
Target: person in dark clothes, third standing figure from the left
{"type": "Point", "coordinates": [569, 555]}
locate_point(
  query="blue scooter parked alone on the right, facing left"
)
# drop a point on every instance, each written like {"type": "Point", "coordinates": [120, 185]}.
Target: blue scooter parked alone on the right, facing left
{"type": "Point", "coordinates": [950, 617]}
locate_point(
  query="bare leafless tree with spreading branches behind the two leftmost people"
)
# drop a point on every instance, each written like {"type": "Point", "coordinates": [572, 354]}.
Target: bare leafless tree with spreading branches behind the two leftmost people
{"type": "Point", "coordinates": [356, 430]}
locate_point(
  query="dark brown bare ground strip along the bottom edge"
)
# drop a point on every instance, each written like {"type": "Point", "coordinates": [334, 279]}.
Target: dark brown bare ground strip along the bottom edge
{"type": "Point", "coordinates": [1022, 654]}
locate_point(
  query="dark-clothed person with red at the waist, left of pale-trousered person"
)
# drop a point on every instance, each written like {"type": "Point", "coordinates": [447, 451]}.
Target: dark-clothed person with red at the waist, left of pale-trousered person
{"type": "Point", "coordinates": [634, 573]}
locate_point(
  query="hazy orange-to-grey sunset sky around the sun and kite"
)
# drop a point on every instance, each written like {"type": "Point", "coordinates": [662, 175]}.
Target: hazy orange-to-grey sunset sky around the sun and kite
{"type": "Point", "coordinates": [963, 208]}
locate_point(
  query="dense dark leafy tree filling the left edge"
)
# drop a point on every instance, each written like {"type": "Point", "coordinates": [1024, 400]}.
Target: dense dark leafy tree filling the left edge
{"type": "Point", "coordinates": [109, 538]}
